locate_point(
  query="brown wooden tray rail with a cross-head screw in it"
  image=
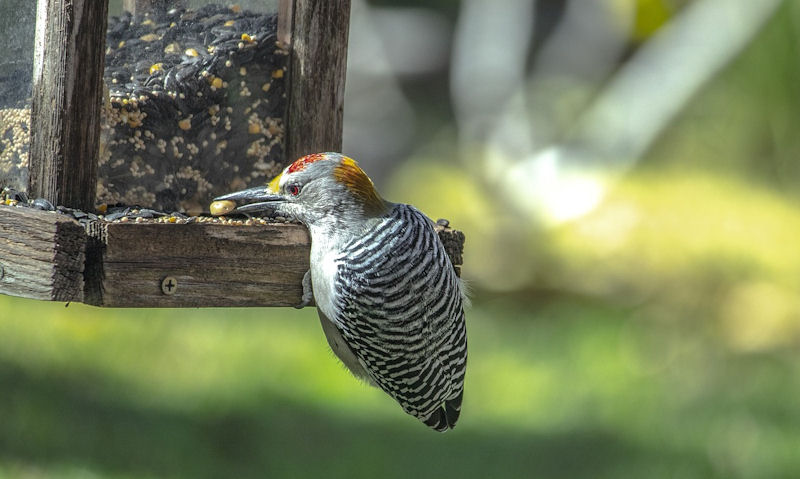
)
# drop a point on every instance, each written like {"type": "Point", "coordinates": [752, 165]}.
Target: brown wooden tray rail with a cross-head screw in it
{"type": "Point", "coordinates": [211, 264]}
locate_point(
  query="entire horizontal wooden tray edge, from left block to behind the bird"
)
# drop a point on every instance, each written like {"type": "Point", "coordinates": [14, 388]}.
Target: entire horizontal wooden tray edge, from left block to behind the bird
{"type": "Point", "coordinates": [49, 256]}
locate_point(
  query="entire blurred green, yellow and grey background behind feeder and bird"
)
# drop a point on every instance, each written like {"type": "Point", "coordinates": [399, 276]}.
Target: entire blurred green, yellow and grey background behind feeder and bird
{"type": "Point", "coordinates": [642, 322]}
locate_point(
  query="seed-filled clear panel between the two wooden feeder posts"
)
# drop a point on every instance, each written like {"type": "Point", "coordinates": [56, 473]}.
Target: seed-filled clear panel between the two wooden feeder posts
{"type": "Point", "coordinates": [195, 102]}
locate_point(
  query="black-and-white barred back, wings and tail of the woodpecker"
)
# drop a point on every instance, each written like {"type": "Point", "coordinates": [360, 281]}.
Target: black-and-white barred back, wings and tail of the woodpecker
{"type": "Point", "coordinates": [401, 313]}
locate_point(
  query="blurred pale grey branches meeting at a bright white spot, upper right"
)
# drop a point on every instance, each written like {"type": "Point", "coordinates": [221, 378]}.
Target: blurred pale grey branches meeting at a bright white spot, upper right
{"type": "Point", "coordinates": [555, 165]}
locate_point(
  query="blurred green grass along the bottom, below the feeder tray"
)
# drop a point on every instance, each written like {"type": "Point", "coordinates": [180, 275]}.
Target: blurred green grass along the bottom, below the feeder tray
{"type": "Point", "coordinates": [570, 388]}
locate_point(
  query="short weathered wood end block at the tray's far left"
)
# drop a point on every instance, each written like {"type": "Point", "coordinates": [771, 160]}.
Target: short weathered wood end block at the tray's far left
{"type": "Point", "coordinates": [41, 255]}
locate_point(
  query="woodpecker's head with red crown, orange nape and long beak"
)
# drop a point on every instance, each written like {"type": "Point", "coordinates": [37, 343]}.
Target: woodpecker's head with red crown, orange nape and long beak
{"type": "Point", "coordinates": [322, 187]}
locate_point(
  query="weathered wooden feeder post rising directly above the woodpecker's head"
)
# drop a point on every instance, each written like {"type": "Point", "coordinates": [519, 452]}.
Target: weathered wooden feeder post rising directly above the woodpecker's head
{"type": "Point", "coordinates": [318, 58]}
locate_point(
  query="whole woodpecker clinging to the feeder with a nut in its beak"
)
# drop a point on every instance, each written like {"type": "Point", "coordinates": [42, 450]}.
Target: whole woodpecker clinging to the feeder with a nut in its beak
{"type": "Point", "coordinates": [387, 295]}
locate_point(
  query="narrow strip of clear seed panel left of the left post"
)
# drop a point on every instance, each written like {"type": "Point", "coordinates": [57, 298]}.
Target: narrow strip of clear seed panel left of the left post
{"type": "Point", "coordinates": [17, 30]}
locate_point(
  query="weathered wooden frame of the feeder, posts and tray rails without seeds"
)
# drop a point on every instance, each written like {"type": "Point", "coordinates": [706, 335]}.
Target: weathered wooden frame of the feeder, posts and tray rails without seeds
{"type": "Point", "coordinates": [49, 256]}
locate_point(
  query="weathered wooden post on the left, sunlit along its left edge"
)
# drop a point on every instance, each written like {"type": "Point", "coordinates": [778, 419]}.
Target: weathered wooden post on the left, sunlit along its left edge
{"type": "Point", "coordinates": [69, 58]}
